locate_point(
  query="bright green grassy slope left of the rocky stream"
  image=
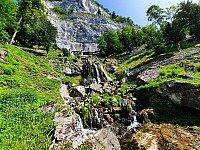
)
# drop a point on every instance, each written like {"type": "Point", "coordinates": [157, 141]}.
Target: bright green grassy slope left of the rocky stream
{"type": "Point", "coordinates": [24, 87]}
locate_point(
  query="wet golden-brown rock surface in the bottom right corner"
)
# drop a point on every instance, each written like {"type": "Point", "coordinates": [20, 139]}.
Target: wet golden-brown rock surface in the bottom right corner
{"type": "Point", "coordinates": [163, 136]}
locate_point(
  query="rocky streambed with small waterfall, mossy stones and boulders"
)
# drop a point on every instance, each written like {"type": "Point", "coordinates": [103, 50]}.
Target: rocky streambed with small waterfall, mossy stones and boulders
{"type": "Point", "coordinates": [102, 114]}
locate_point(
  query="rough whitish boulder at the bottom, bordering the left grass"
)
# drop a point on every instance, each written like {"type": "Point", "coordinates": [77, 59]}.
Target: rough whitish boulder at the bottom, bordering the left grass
{"type": "Point", "coordinates": [69, 133]}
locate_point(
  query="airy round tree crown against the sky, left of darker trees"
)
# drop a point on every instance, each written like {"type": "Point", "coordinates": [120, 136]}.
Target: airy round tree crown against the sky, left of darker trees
{"type": "Point", "coordinates": [155, 14]}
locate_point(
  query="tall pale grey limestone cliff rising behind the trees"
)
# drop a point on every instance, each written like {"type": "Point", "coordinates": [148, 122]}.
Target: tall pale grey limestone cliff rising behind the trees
{"type": "Point", "coordinates": [79, 31]}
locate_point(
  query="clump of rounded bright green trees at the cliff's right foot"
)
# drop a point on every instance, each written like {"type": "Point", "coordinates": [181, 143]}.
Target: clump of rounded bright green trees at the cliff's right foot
{"type": "Point", "coordinates": [123, 41]}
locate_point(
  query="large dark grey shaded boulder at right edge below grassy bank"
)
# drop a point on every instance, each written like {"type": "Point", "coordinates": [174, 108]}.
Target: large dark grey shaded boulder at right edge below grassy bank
{"type": "Point", "coordinates": [182, 93]}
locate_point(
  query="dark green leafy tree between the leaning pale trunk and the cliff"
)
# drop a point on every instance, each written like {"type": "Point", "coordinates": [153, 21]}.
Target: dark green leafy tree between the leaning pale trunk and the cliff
{"type": "Point", "coordinates": [35, 28]}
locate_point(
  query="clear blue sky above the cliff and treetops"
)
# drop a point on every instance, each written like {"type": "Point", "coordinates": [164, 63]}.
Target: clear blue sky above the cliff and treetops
{"type": "Point", "coordinates": [136, 9]}
